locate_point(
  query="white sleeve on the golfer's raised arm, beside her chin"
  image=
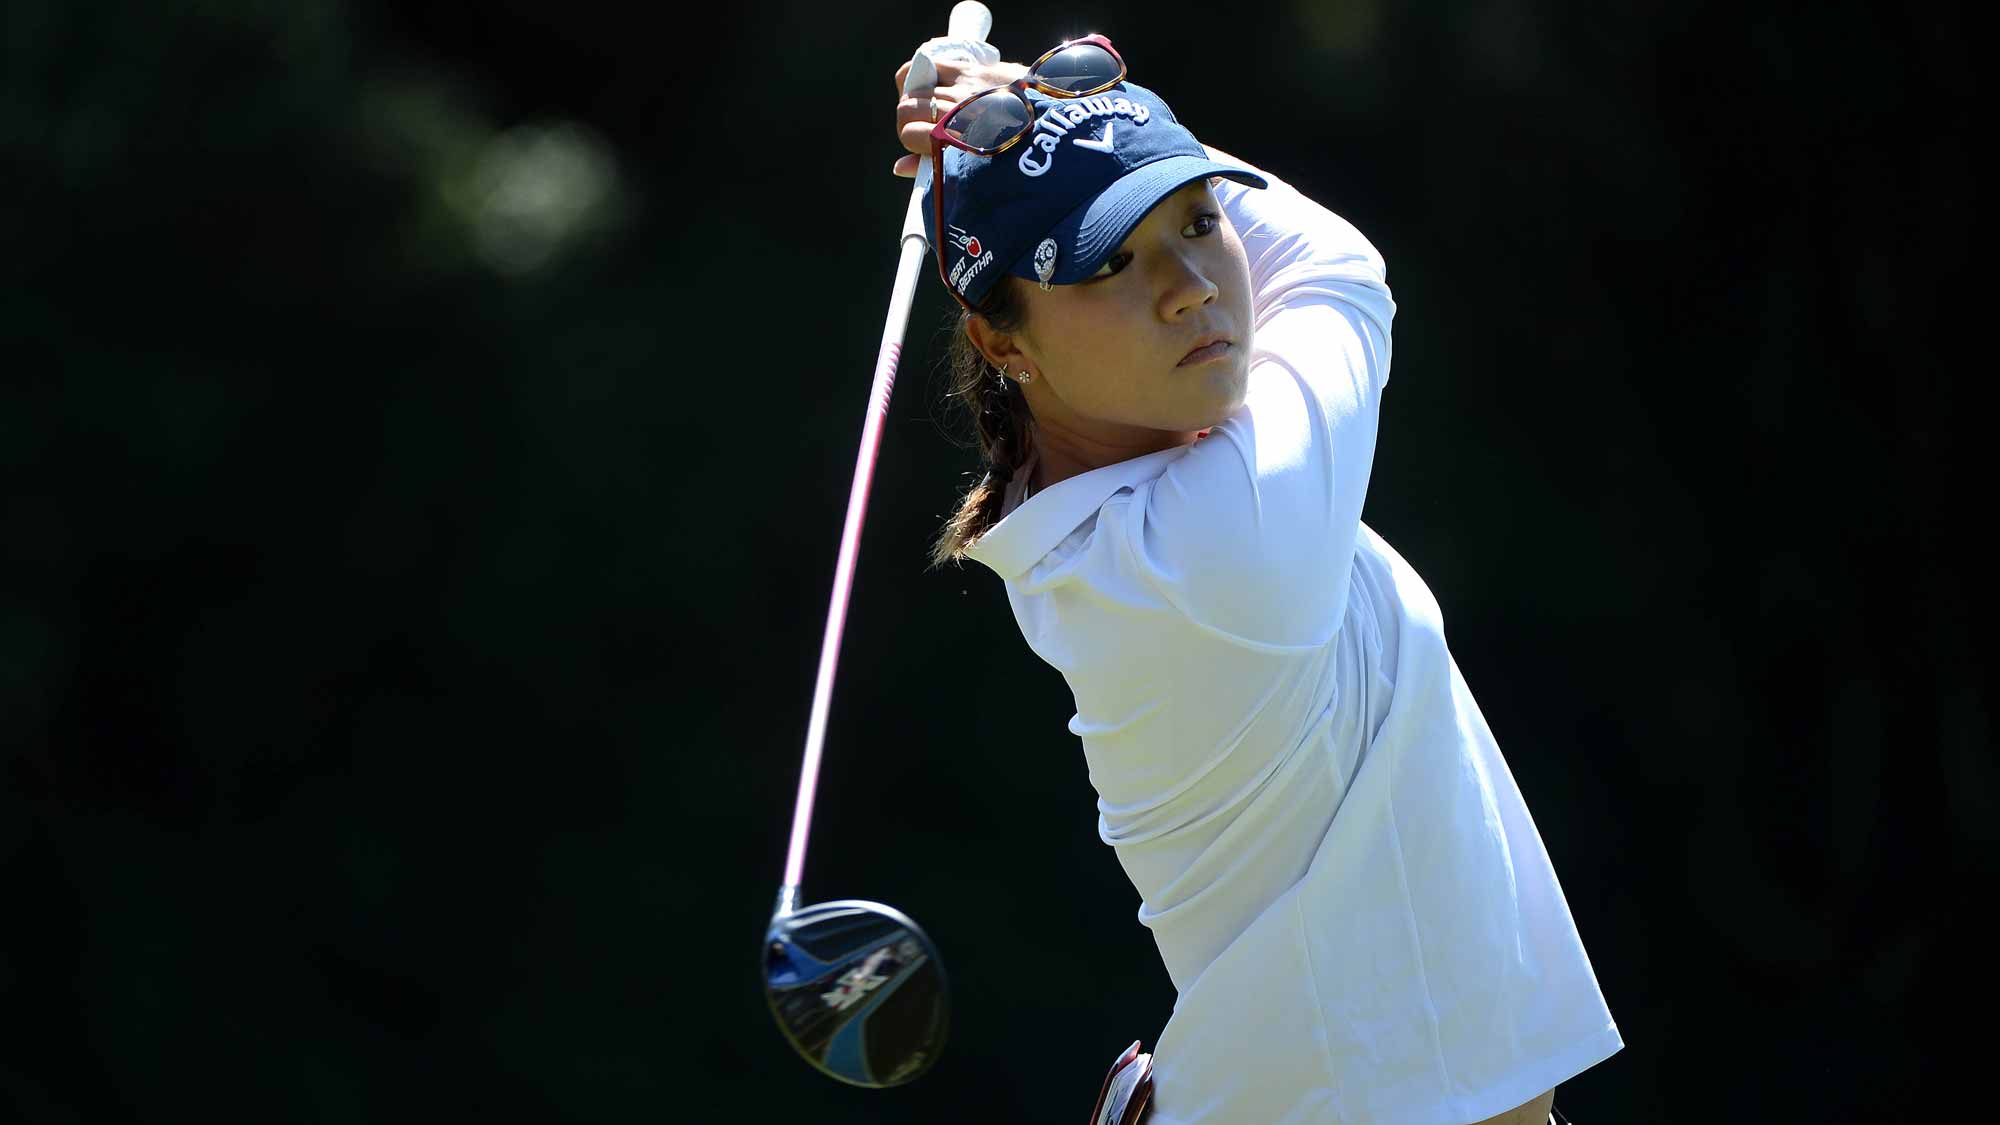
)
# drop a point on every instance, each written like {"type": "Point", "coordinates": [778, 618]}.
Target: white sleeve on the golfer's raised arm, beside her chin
{"type": "Point", "coordinates": [1253, 531]}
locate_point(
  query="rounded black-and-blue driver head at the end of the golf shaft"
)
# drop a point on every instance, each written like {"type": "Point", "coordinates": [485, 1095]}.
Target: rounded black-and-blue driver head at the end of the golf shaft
{"type": "Point", "coordinates": [859, 992]}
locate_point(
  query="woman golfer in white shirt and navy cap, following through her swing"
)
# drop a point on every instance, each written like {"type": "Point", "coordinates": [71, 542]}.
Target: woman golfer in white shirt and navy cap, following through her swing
{"type": "Point", "coordinates": [1175, 363]}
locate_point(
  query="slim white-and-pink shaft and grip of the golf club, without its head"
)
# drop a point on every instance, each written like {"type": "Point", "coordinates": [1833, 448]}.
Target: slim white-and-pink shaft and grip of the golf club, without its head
{"type": "Point", "coordinates": [915, 253]}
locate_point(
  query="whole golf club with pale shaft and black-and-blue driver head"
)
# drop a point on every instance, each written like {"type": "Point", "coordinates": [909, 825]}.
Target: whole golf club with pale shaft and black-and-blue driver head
{"type": "Point", "coordinates": [859, 988]}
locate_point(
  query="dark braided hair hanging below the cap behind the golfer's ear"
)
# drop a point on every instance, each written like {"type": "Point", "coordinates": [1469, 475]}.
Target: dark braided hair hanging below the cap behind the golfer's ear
{"type": "Point", "coordinates": [1001, 419]}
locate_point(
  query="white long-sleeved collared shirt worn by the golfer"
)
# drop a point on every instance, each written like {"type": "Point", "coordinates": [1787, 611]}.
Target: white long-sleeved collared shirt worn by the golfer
{"type": "Point", "coordinates": [1331, 854]}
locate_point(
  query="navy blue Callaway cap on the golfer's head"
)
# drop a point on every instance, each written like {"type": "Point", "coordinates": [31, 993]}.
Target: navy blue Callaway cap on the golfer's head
{"type": "Point", "coordinates": [1061, 201]}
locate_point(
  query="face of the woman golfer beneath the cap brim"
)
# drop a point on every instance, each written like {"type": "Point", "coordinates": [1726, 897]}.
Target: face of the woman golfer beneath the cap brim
{"type": "Point", "coordinates": [1109, 349]}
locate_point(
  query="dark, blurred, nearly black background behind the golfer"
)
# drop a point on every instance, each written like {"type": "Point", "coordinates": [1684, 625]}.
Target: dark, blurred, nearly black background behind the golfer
{"type": "Point", "coordinates": [425, 443]}
